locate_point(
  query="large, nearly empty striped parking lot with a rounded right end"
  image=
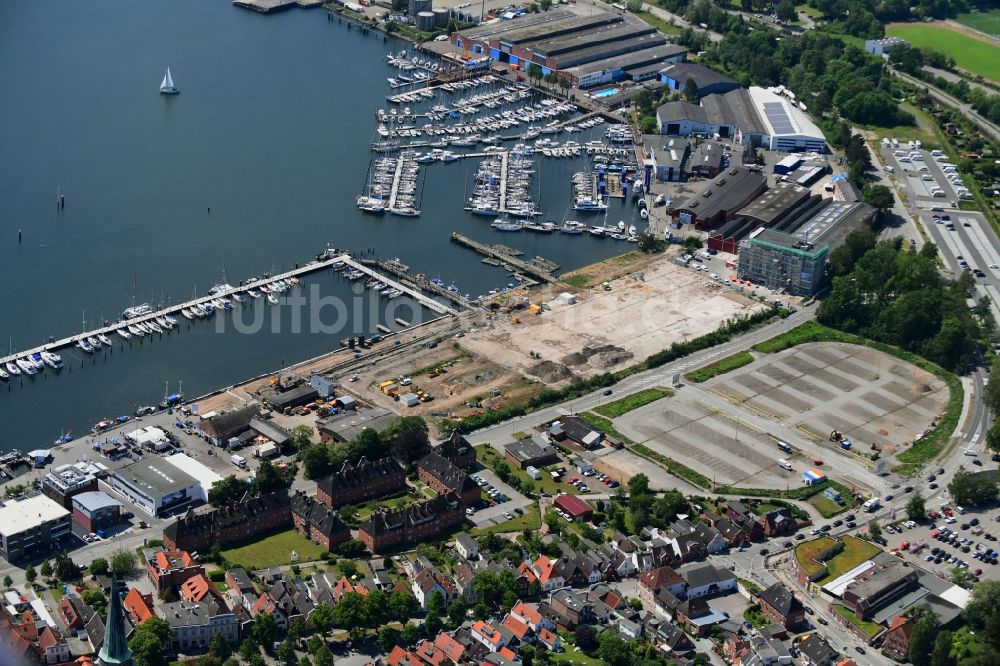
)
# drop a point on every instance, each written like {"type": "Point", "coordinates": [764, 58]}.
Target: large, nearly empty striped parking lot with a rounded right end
{"type": "Point", "coordinates": [728, 428]}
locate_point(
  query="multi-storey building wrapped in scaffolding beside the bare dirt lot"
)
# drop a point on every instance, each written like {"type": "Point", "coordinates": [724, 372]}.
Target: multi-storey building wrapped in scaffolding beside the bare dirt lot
{"type": "Point", "coordinates": [783, 263]}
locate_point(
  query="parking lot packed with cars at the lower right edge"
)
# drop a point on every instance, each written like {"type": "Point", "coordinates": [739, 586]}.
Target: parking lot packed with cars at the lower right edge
{"type": "Point", "coordinates": [975, 531]}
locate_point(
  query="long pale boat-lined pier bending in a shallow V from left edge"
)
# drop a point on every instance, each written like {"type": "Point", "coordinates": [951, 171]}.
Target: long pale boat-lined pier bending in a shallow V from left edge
{"type": "Point", "coordinates": [326, 262]}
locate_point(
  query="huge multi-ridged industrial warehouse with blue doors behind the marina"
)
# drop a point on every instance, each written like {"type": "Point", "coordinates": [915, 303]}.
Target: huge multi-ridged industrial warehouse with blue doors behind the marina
{"type": "Point", "coordinates": [588, 49]}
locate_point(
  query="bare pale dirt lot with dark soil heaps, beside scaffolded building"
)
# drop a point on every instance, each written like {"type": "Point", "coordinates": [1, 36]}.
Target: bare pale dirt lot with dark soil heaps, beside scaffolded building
{"type": "Point", "coordinates": [639, 315]}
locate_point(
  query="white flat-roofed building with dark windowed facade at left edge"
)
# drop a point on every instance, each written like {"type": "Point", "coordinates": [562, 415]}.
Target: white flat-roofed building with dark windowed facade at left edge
{"type": "Point", "coordinates": [32, 526]}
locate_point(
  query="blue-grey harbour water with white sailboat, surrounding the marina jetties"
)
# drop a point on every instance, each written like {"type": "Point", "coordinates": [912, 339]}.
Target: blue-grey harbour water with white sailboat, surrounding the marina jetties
{"type": "Point", "coordinates": [271, 132]}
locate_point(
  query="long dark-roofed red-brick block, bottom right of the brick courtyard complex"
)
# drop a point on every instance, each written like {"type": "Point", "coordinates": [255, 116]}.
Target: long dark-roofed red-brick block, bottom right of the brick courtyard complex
{"type": "Point", "coordinates": [412, 524]}
